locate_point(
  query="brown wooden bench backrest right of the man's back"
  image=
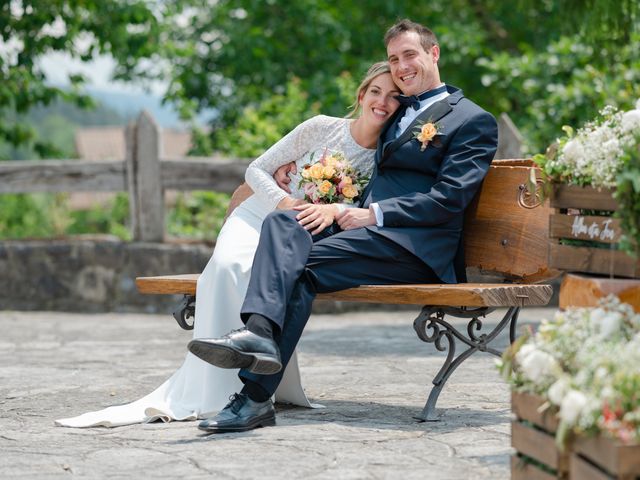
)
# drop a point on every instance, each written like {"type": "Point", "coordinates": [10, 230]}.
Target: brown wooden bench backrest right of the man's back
{"type": "Point", "coordinates": [506, 229]}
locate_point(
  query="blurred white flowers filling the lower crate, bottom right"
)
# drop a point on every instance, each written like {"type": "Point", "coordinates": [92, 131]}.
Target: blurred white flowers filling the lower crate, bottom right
{"type": "Point", "coordinates": [586, 363]}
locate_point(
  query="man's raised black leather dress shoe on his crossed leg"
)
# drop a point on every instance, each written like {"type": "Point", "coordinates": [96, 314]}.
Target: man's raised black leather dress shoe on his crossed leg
{"type": "Point", "coordinates": [239, 349]}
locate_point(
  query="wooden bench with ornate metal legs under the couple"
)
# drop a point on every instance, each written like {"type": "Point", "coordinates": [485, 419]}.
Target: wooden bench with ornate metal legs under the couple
{"type": "Point", "coordinates": [506, 233]}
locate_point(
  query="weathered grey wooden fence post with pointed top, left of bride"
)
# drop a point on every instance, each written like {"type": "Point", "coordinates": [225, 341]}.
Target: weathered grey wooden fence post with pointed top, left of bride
{"type": "Point", "coordinates": [146, 195]}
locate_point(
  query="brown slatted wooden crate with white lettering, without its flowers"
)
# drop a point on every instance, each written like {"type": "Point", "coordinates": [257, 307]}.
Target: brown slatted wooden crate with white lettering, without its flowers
{"type": "Point", "coordinates": [568, 223]}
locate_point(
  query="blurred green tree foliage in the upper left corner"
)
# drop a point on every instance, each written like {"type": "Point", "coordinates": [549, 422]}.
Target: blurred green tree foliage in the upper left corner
{"type": "Point", "coordinates": [127, 30]}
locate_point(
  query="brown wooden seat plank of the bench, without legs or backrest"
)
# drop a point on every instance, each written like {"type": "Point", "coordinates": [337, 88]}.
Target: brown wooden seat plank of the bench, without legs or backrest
{"type": "Point", "coordinates": [466, 294]}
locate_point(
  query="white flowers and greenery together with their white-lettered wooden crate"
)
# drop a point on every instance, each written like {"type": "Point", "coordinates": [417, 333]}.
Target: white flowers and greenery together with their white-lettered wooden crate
{"type": "Point", "coordinates": [590, 174]}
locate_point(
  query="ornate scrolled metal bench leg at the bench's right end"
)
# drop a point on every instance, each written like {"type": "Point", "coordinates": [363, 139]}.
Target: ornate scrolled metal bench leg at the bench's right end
{"type": "Point", "coordinates": [432, 328]}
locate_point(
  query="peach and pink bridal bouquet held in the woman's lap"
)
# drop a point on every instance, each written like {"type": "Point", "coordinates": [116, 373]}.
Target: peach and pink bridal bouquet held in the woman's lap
{"type": "Point", "coordinates": [332, 179]}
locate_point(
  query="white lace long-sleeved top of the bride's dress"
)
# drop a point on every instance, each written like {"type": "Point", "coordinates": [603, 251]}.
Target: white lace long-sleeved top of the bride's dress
{"type": "Point", "coordinates": [305, 144]}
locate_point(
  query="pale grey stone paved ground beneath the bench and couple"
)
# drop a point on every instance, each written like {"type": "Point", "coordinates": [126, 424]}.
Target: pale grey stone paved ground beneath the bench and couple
{"type": "Point", "coordinates": [368, 369]}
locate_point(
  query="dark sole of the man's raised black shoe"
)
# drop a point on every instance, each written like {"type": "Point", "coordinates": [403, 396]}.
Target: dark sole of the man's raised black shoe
{"type": "Point", "coordinates": [226, 357]}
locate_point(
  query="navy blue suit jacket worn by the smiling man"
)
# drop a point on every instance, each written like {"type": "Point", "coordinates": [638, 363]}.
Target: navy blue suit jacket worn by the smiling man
{"type": "Point", "coordinates": [423, 194]}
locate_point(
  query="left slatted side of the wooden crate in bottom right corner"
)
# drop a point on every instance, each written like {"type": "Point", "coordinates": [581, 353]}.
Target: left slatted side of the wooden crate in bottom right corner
{"type": "Point", "coordinates": [533, 437]}
